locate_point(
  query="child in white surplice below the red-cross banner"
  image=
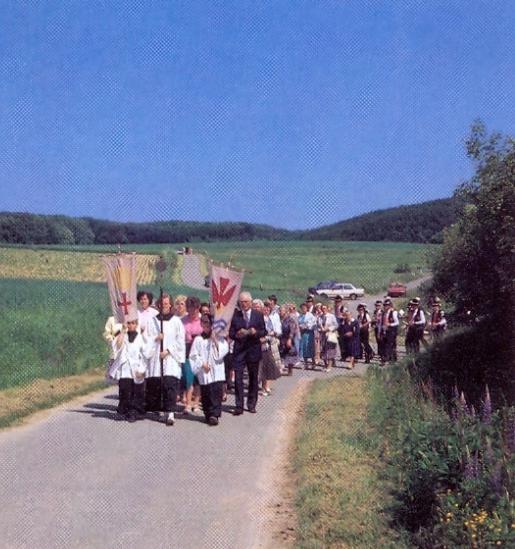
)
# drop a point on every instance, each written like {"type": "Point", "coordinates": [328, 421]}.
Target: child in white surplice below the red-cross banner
{"type": "Point", "coordinates": [130, 351]}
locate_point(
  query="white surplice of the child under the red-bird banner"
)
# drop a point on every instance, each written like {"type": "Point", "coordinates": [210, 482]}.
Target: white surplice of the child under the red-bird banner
{"type": "Point", "coordinates": [205, 350]}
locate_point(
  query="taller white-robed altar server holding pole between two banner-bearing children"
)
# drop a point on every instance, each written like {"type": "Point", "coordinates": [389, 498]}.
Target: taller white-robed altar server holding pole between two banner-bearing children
{"type": "Point", "coordinates": [162, 390]}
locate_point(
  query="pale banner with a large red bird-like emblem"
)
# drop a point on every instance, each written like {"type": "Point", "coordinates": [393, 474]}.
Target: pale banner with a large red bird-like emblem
{"type": "Point", "coordinates": [224, 290]}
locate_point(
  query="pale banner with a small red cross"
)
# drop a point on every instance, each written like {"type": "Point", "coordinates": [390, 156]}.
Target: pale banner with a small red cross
{"type": "Point", "coordinates": [121, 283]}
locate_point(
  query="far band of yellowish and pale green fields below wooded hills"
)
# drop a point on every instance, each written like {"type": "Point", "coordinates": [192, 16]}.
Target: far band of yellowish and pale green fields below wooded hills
{"type": "Point", "coordinates": [286, 267]}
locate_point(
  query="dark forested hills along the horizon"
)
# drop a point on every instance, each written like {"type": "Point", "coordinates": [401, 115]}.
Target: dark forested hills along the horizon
{"type": "Point", "coordinates": [416, 223]}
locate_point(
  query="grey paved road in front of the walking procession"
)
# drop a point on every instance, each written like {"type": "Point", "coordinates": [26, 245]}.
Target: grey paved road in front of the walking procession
{"type": "Point", "coordinates": [80, 479]}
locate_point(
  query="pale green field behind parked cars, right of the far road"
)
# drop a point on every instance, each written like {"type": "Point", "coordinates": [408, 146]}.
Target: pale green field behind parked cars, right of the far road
{"type": "Point", "coordinates": [289, 268]}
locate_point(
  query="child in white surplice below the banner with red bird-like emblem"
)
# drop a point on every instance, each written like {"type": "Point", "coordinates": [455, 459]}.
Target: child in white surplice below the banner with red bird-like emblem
{"type": "Point", "coordinates": [207, 362]}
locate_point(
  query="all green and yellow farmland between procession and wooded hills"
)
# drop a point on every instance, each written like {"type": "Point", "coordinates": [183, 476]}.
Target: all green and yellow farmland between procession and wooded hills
{"type": "Point", "coordinates": [55, 300]}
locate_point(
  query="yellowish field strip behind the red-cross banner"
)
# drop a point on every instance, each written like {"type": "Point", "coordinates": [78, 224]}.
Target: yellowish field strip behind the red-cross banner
{"type": "Point", "coordinates": [65, 265]}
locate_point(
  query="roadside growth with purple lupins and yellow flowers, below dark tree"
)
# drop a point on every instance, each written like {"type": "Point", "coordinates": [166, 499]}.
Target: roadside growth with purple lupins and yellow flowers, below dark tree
{"type": "Point", "coordinates": [452, 472]}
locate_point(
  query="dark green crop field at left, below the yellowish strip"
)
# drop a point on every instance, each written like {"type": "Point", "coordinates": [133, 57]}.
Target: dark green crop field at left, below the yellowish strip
{"type": "Point", "coordinates": [54, 328]}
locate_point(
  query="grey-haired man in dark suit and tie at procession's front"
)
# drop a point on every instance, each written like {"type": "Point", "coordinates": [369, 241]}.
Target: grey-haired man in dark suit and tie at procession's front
{"type": "Point", "coordinates": [247, 327]}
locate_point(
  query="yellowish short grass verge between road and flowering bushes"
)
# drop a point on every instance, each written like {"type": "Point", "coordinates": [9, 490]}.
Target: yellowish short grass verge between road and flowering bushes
{"type": "Point", "coordinates": [340, 496]}
